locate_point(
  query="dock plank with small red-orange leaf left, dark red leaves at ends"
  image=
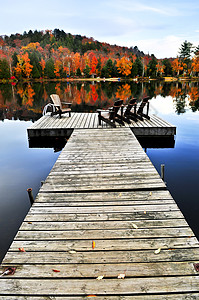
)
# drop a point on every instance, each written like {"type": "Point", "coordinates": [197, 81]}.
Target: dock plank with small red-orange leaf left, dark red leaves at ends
{"type": "Point", "coordinates": [132, 269]}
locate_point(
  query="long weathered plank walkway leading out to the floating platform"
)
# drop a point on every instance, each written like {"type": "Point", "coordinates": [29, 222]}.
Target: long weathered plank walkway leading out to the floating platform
{"type": "Point", "coordinates": [103, 225]}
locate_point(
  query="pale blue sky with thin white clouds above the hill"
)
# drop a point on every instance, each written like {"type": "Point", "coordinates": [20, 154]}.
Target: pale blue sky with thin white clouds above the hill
{"type": "Point", "coordinates": [155, 27]}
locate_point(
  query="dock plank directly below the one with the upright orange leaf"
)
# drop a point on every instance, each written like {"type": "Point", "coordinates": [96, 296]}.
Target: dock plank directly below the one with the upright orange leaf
{"type": "Point", "coordinates": [100, 257]}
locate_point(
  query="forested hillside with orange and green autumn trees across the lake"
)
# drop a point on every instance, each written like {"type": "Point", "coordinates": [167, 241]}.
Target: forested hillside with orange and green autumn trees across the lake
{"type": "Point", "coordinates": [57, 55]}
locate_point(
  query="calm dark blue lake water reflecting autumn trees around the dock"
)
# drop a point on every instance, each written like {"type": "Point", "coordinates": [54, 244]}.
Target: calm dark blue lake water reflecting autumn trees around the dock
{"type": "Point", "coordinates": [22, 167]}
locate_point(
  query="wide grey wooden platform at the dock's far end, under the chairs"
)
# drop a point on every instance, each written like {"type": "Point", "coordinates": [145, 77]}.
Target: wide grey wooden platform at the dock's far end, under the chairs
{"type": "Point", "coordinates": [54, 126]}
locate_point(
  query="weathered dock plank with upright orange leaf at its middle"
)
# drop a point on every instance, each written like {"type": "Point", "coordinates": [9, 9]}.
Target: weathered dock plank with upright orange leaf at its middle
{"type": "Point", "coordinates": [105, 244]}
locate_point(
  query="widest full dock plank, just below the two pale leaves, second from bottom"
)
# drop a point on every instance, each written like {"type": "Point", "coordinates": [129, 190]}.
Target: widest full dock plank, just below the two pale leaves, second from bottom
{"type": "Point", "coordinates": [102, 287]}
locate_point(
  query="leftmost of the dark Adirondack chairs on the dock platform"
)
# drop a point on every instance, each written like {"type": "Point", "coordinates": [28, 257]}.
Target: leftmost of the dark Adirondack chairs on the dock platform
{"type": "Point", "coordinates": [111, 116]}
